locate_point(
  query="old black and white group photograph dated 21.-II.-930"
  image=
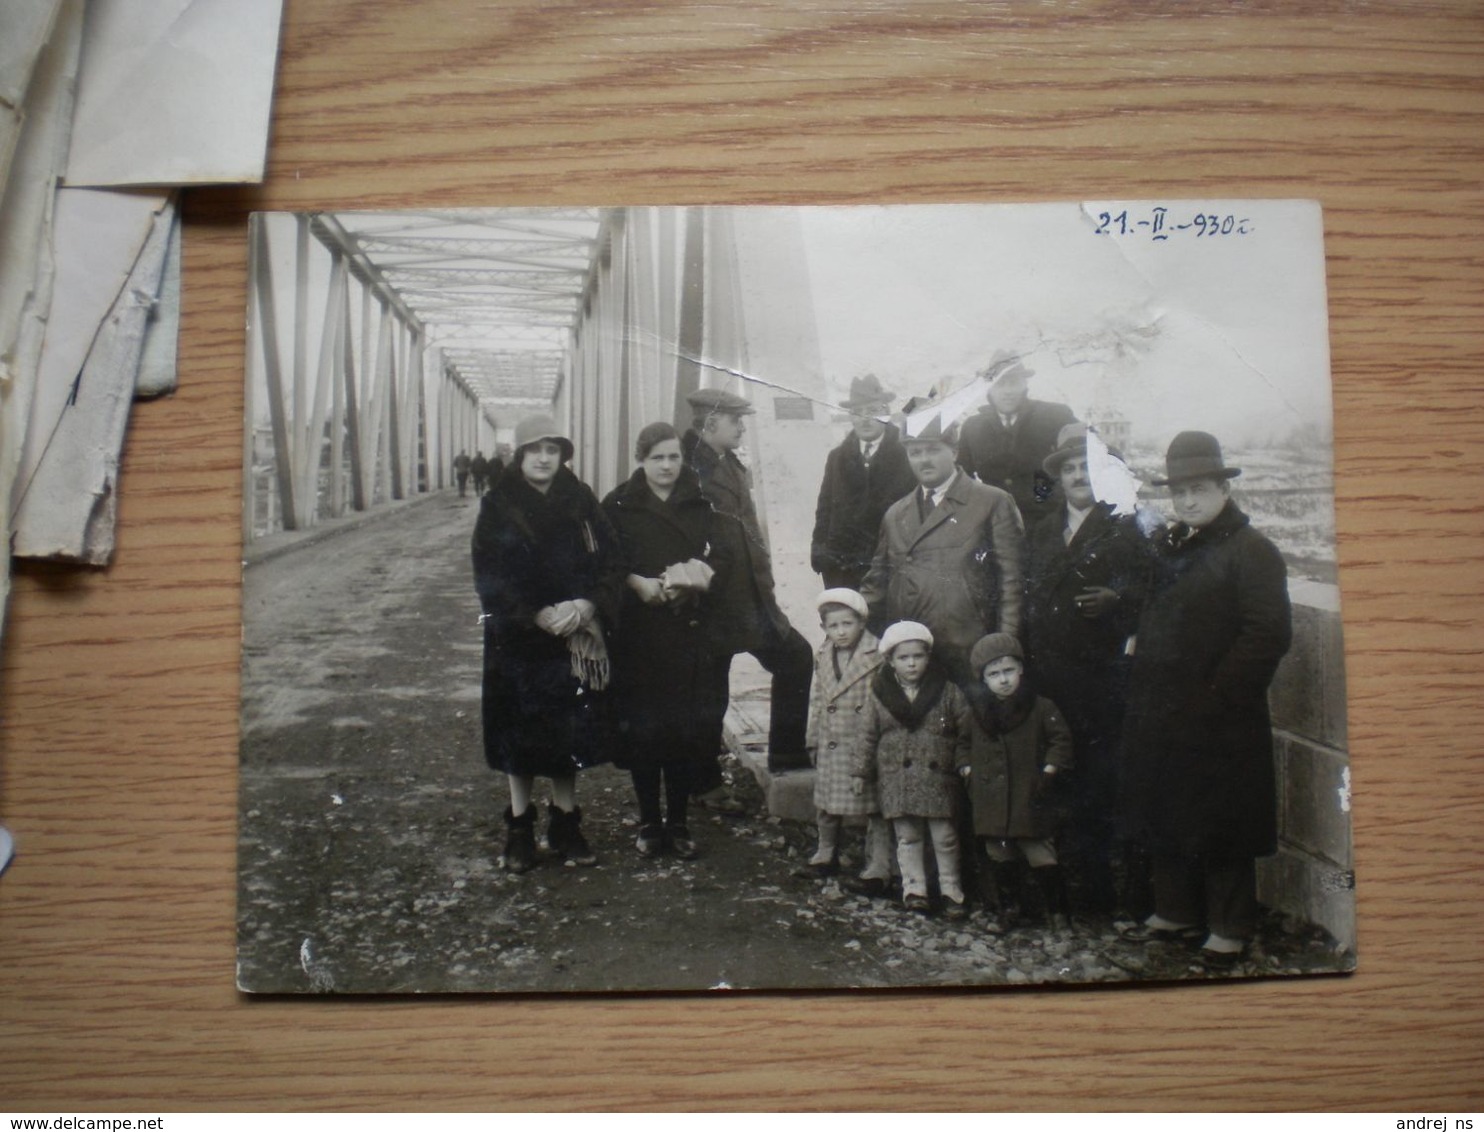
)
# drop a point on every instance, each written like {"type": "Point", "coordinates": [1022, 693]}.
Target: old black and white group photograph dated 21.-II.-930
{"type": "Point", "coordinates": [790, 599]}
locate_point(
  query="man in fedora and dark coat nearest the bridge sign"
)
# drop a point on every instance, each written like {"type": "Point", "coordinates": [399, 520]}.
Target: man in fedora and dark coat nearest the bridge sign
{"type": "Point", "coordinates": [864, 475]}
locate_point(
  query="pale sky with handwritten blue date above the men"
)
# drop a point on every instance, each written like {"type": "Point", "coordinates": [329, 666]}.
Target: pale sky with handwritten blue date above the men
{"type": "Point", "coordinates": [1225, 333]}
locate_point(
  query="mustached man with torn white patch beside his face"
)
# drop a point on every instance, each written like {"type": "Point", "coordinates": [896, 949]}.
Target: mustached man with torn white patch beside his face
{"type": "Point", "coordinates": [1087, 576]}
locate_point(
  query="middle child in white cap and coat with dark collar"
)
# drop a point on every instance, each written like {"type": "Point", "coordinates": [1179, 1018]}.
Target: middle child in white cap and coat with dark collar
{"type": "Point", "coordinates": [918, 731]}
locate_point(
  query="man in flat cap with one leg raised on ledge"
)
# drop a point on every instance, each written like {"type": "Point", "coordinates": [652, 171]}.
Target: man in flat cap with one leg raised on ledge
{"type": "Point", "coordinates": [747, 615]}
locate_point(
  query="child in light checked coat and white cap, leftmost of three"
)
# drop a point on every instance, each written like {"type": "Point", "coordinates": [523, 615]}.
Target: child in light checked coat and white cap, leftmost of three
{"type": "Point", "coordinates": [839, 698]}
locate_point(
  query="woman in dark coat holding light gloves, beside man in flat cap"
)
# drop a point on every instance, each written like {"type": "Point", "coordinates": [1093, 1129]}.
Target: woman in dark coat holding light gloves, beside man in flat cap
{"type": "Point", "coordinates": [669, 711]}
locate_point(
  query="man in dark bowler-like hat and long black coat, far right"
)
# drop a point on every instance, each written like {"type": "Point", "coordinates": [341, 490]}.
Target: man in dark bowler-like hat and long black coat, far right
{"type": "Point", "coordinates": [1198, 741]}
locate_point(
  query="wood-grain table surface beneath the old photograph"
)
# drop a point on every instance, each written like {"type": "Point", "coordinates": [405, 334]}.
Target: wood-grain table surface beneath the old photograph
{"type": "Point", "coordinates": [118, 694]}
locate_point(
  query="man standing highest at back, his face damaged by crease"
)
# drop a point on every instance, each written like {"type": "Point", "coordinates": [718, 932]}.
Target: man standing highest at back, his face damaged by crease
{"type": "Point", "coordinates": [1007, 441]}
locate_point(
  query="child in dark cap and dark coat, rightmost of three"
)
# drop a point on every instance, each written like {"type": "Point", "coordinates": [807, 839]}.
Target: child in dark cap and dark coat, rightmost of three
{"type": "Point", "coordinates": [1020, 747]}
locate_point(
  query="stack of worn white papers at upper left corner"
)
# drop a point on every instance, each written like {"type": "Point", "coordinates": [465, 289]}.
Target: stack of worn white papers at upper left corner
{"type": "Point", "coordinates": [106, 108]}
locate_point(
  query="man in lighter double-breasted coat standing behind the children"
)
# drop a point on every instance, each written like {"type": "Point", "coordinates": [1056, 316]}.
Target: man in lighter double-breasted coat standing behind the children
{"type": "Point", "coordinates": [949, 554]}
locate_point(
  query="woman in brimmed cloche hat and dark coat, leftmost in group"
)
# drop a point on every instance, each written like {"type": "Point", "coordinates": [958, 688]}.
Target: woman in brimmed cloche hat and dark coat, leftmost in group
{"type": "Point", "coordinates": [548, 573]}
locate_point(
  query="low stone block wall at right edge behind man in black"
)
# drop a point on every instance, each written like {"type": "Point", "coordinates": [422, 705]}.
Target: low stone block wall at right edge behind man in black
{"type": "Point", "coordinates": [1313, 875]}
